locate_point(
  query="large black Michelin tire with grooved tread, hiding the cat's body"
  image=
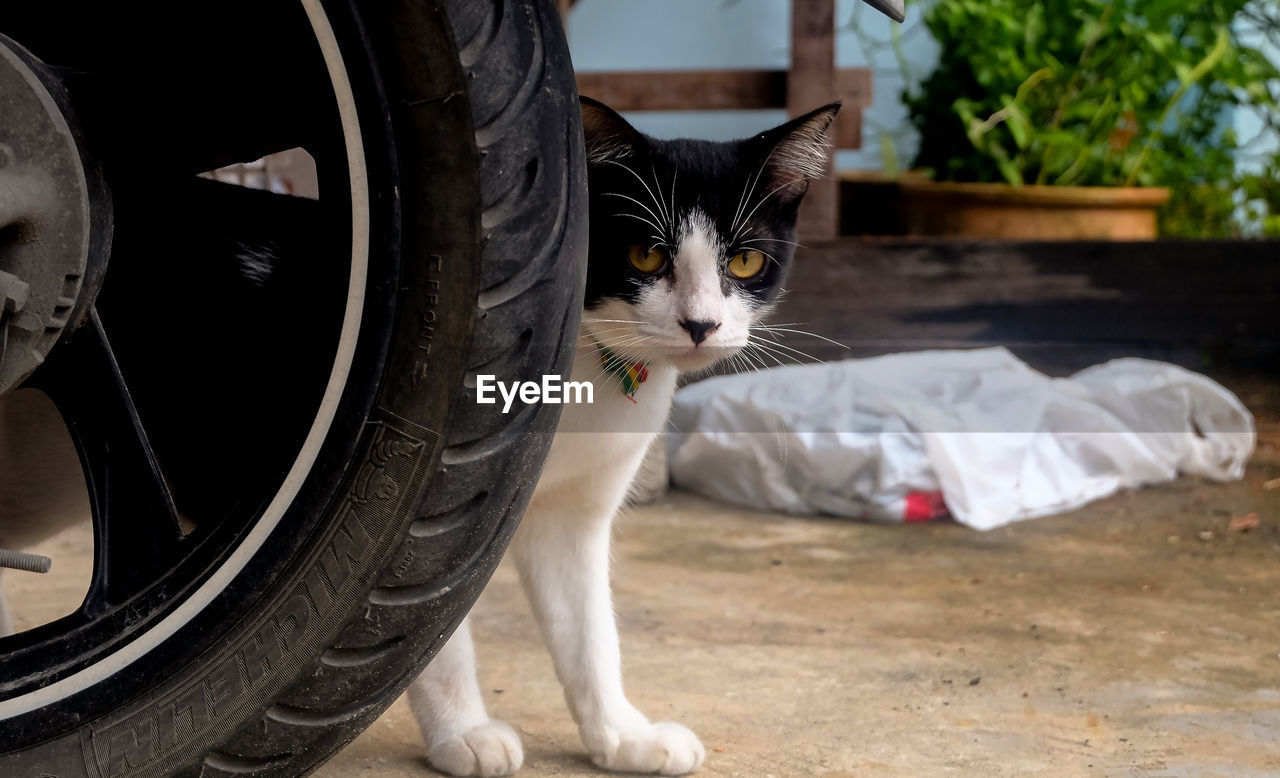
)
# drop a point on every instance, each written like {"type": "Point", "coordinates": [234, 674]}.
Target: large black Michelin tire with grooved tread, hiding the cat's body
{"type": "Point", "coordinates": [470, 131]}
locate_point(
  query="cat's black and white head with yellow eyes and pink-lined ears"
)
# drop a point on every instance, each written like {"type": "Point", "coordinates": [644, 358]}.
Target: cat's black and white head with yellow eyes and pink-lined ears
{"type": "Point", "coordinates": [692, 240]}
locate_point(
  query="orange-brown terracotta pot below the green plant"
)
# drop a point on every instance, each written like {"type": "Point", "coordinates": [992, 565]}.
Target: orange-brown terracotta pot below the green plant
{"type": "Point", "coordinates": [1031, 213]}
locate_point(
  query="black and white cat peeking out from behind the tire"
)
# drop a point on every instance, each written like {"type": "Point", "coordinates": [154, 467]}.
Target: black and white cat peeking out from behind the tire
{"type": "Point", "coordinates": [689, 245]}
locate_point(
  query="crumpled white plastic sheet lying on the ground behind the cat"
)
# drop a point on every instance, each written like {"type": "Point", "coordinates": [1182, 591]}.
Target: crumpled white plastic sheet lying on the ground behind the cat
{"type": "Point", "coordinates": [973, 434]}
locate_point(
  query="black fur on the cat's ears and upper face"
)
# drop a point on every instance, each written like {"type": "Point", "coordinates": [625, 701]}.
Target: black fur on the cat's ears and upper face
{"type": "Point", "coordinates": [643, 190]}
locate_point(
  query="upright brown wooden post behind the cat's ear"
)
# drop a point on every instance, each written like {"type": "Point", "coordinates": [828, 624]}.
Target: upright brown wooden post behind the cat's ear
{"type": "Point", "coordinates": [812, 83]}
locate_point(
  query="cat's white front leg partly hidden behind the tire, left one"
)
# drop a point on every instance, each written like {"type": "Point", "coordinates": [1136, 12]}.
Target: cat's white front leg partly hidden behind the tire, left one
{"type": "Point", "coordinates": [461, 739]}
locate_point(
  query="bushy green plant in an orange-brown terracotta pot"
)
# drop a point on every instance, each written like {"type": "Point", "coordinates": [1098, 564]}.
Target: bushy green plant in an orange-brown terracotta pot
{"type": "Point", "coordinates": [1060, 120]}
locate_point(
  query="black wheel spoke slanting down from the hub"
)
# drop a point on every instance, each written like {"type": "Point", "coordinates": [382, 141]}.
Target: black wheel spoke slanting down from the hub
{"type": "Point", "coordinates": [136, 525]}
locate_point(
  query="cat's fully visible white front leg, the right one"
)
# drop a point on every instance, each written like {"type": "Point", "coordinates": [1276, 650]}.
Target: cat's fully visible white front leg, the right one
{"type": "Point", "coordinates": [565, 566]}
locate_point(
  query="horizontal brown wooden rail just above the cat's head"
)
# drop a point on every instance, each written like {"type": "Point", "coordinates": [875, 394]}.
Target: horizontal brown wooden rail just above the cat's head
{"type": "Point", "coordinates": [687, 90]}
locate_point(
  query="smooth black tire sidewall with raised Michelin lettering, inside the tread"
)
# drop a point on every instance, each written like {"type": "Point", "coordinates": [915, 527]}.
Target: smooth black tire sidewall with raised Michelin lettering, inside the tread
{"type": "Point", "coordinates": [368, 480]}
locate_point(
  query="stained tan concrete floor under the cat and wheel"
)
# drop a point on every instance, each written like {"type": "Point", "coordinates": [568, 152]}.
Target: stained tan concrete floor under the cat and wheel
{"type": "Point", "coordinates": [1140, 637]}
